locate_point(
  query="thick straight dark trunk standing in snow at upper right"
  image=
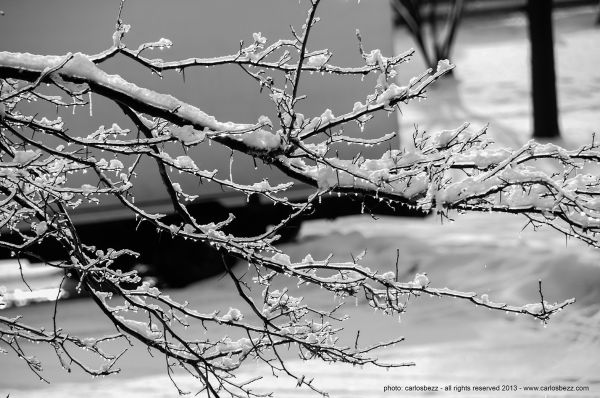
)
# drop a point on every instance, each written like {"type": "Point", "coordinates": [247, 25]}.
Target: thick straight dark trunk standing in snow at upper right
{"type": "Point", "coordinates": [543, 78]}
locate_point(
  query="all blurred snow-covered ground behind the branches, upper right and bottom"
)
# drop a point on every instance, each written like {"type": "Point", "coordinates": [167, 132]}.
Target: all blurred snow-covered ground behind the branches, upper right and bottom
{"type": "Point", "coordinates": [450, 342]}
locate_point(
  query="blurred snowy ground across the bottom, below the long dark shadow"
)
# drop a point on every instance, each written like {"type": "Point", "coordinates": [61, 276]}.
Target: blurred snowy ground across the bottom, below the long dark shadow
{"type": "Point", "coordinates": [451, 342]}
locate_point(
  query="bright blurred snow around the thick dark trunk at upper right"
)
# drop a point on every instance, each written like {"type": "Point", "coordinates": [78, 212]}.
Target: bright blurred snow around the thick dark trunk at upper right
{"type": "Point", "coordinates": [491, 82]}
